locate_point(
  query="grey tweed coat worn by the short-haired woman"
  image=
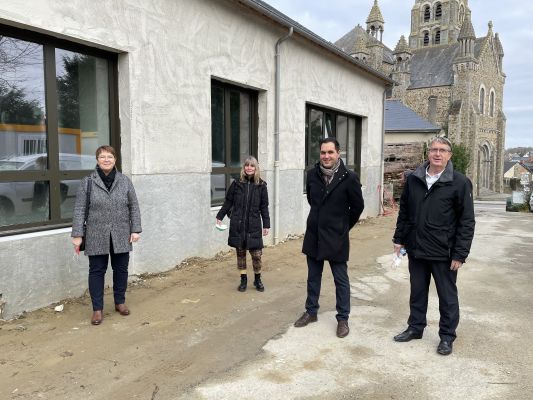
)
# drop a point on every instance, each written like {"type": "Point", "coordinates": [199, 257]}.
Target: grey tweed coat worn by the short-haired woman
{"type": "Point", "coordinates": [113, 214]}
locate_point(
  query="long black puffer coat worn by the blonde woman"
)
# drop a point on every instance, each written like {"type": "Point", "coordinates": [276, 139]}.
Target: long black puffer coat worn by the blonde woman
{"type": "Point", "coordinates": [248, 203]}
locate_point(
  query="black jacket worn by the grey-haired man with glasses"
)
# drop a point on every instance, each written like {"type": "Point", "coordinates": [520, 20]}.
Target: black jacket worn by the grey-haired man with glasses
{"type": "Point", "coordinates": [436, 224]}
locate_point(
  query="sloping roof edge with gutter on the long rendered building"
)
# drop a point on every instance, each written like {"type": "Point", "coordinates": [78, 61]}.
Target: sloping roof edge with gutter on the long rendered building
{"type": "Point", "coordinates": [275, 15]}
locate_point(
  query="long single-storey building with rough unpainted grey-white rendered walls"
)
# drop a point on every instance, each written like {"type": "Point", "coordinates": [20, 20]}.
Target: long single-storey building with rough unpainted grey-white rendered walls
{"type": "Point", "coordinates": [184, 90]}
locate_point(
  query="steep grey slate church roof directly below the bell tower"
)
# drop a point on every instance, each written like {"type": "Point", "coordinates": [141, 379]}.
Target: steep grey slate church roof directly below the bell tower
{"type": "Point", "coordinates": [433, 66]}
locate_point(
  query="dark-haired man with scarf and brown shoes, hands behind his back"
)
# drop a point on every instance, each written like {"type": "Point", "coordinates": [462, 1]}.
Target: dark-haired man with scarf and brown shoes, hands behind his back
{"type": "Point", "coordinates": [336, 201]}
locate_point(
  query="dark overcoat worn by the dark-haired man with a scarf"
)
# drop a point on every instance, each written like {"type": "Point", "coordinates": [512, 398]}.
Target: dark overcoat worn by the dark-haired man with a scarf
{"type": "Point", "coordinates": [335, 209]}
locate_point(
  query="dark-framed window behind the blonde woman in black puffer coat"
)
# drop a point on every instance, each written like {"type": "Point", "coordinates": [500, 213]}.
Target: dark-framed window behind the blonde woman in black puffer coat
{"type": "Point", "coordinates": [233, 134]}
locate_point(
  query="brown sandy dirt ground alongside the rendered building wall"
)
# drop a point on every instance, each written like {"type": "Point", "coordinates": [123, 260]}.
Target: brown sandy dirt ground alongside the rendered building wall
{"type": "Point", "coordinates": [191, 326]}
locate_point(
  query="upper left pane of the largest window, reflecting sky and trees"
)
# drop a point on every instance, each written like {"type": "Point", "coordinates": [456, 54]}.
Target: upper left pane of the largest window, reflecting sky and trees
{"type": "Point", "coordinates": [22, 103]}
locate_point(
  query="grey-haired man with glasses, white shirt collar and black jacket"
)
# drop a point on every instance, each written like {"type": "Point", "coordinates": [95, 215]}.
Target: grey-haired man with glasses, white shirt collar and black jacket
{"type": "Point", "coordinates": [436, 226]}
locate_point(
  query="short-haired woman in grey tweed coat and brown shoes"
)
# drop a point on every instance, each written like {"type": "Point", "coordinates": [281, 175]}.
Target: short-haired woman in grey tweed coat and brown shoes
{"type": "Point", "coordinates": [113, 224]}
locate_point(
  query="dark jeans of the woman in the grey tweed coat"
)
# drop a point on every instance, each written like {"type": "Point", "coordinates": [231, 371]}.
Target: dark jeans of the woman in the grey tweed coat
{"type": "Point", "coordinates": [97, 270]}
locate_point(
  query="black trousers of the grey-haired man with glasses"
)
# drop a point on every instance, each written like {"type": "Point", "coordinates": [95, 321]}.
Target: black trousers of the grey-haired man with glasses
{"type": "Point", "coordinates": [445, 281]}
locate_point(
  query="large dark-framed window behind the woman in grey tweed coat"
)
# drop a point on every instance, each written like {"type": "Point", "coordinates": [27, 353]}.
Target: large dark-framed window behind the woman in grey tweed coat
{"type": "Point", "coordinates": [56, 107]}
